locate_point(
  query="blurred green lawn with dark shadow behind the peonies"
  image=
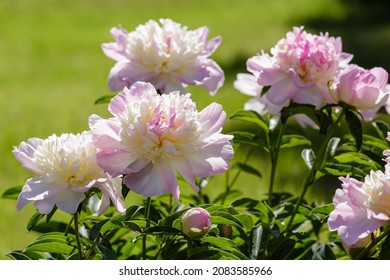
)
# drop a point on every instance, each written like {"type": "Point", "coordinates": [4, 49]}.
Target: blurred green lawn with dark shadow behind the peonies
{"type": "Point", "coordinates": [52, 68]}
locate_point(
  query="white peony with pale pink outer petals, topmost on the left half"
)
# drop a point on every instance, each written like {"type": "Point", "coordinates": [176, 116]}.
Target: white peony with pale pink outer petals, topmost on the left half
{"type": "Point", "coordinates": [168, 55]}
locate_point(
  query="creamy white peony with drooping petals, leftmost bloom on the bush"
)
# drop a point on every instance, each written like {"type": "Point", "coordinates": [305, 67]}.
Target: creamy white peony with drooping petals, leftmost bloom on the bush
{"type": "Point", "coordinates": [66, 168]}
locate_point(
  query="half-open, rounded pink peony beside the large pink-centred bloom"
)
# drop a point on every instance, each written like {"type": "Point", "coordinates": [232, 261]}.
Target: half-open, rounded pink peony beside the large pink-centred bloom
{"type": "Point", "coordinates": [363, 89]}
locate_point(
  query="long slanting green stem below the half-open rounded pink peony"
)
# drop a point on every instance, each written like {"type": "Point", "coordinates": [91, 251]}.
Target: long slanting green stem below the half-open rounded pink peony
{"type": "Point", "coordinates": [310, 178]}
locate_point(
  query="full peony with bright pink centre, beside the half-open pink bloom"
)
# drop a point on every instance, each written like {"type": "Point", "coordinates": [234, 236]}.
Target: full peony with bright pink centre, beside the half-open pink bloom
{"type": "Point", "coordinates": [299, 68]}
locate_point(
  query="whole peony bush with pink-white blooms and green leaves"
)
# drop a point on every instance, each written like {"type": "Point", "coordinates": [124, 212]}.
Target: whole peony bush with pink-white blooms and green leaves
{"type": "Point", "coordinates": [158, 142]}
